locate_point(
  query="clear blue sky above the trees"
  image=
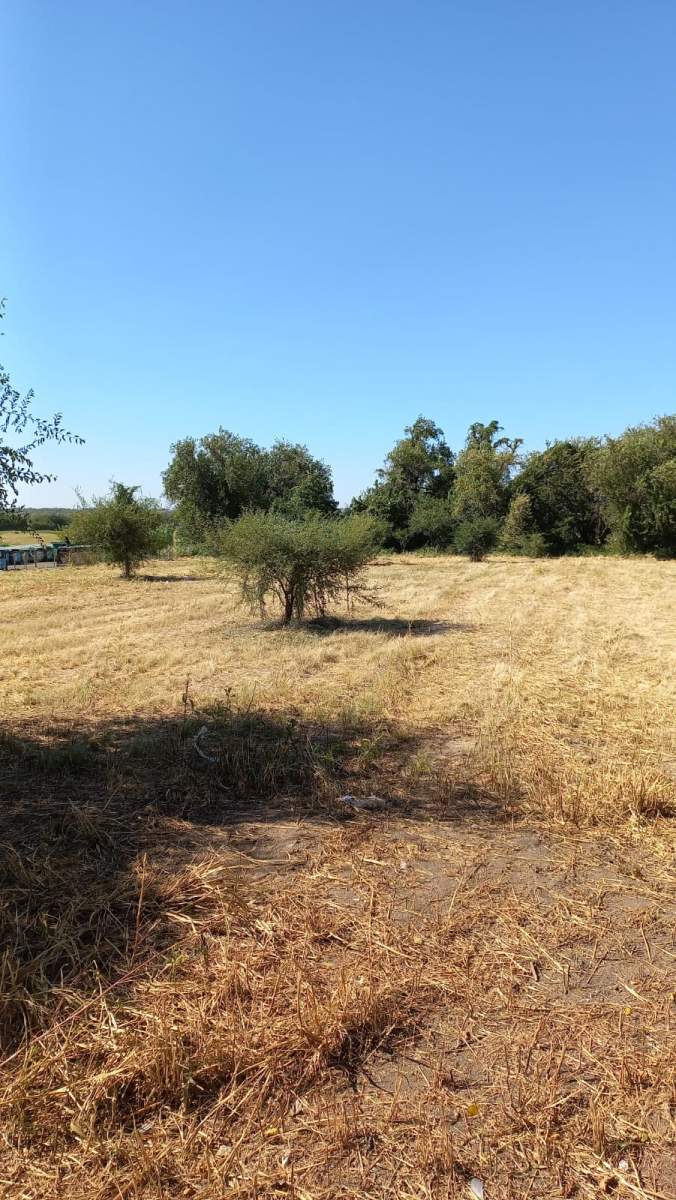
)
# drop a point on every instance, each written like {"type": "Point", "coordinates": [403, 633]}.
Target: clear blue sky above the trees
{"type": "Point", "coordinates": [318, 220]}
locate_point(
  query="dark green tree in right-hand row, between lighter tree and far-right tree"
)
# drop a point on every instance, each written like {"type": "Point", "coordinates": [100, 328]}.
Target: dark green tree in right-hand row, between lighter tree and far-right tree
{"type": "Point", "coordinates": [565, 501]}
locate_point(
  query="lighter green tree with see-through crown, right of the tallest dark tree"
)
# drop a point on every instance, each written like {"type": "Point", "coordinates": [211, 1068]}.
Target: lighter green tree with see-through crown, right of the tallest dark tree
{"type": "Point", "coordinates": [483, 471]}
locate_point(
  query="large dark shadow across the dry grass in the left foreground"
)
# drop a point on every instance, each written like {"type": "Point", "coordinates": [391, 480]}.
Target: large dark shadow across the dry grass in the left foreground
{"type": "Point", "coordinates": [98, 827]}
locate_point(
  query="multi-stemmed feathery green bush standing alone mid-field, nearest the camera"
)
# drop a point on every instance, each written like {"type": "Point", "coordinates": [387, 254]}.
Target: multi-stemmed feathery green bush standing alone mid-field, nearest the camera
{"type": "Point", "coordinates": [301, 565]}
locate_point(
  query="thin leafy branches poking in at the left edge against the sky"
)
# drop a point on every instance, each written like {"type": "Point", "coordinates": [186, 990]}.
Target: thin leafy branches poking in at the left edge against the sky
{"type": "Point", "coordinates": [21, 434]}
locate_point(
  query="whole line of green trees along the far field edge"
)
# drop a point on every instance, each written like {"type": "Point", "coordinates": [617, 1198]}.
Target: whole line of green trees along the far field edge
{"type": "Point", "coordinates": [576, 496]}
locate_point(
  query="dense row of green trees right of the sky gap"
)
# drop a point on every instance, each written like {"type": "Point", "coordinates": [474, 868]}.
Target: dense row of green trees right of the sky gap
{"type": "Point", "coordinates": [614, 494]}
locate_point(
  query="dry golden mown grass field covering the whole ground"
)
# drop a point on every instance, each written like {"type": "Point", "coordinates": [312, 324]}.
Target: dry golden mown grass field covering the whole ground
{"type": "Point", "coordinates": [222, 981]}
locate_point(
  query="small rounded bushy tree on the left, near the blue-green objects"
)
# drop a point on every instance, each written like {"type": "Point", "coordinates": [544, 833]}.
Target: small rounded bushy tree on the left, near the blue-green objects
{"type": "Point", "coordinates": [123, 529]}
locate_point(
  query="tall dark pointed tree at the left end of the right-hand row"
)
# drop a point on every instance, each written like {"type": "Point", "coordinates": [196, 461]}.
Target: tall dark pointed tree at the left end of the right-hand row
{"type": "Point", "coordinates": [418, 467]}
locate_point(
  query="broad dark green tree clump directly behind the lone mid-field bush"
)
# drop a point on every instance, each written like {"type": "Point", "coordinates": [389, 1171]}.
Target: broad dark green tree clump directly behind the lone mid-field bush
{"type": "Point", "coordinates": [220, 477]}
